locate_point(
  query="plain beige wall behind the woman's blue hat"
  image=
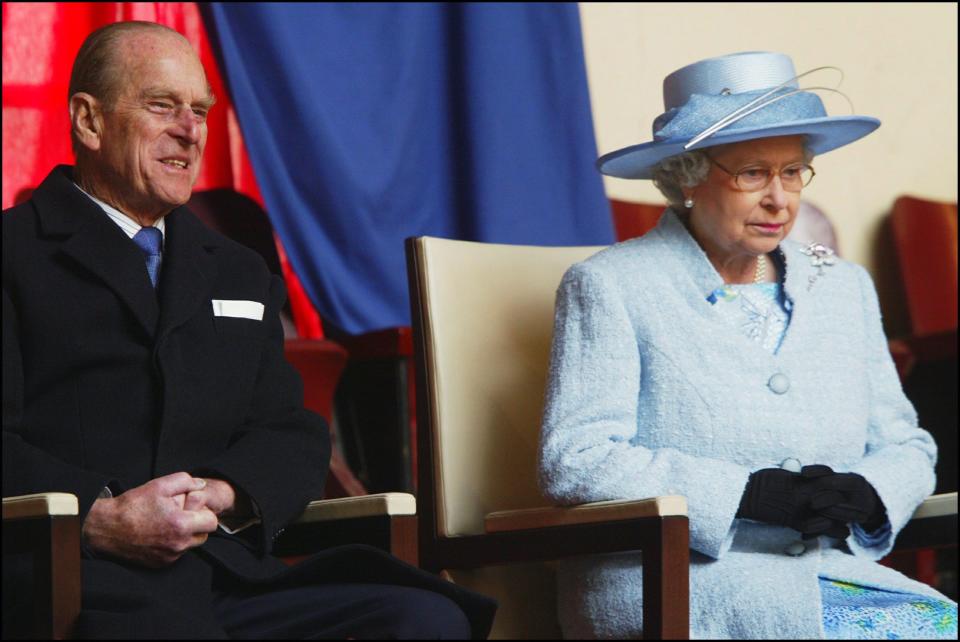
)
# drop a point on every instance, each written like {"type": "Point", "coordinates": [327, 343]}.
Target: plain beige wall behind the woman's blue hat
{"type": "Point", "coordinates": [900, 63]}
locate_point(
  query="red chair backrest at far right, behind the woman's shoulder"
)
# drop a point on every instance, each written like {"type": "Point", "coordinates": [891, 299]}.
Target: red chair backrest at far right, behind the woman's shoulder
{"type": "Point", "coordinates": [925, 235]}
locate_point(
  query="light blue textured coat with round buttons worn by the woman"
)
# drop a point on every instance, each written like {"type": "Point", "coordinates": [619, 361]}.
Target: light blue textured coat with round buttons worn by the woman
{"type": "Point", "coordinates": [650, 393]}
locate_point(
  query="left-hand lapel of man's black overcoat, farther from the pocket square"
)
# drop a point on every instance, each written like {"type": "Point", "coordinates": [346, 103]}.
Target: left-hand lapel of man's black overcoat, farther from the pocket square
{"type": "Point", "coordinates": [96, 244]}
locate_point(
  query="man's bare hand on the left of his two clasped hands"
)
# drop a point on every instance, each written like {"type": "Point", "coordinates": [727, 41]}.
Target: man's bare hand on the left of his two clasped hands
{"type": "Point", "coordinates": [150, 524]}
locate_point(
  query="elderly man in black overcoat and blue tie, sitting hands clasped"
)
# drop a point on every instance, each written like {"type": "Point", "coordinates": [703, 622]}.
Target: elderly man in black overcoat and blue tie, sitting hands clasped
{"type": "Point", "coordinates": [143, 371]}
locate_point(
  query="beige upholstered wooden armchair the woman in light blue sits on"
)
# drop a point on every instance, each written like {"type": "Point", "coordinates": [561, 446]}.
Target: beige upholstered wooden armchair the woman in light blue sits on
{"type": "Point", "coordinates": [483, 321]}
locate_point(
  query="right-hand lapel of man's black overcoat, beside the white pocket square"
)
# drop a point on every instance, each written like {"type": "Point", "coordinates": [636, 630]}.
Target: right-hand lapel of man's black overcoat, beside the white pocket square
{"type": "Point", "coordinates": [188, 272]}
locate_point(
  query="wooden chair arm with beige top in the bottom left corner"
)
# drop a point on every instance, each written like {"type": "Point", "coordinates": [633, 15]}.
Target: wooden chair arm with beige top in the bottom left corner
{"type": "Point", "coordinates": [47, 526]}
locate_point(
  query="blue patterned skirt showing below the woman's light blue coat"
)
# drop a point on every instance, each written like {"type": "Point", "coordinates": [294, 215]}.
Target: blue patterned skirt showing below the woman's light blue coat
{"type": "Point", "coordinates": [852, 612]}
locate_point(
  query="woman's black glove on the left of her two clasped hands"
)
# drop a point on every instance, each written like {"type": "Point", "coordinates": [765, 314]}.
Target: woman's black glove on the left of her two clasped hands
{"type": "Point", "coordinates": [796, 500]}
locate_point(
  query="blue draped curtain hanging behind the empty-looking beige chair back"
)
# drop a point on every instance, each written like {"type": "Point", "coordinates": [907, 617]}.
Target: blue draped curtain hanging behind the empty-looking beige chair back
{"type": "Point", "coordinates": [368, 123]}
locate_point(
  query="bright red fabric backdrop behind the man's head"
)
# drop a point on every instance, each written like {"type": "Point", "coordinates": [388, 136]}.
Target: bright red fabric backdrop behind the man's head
{"type": "Point", "coordinates": [40, 41]}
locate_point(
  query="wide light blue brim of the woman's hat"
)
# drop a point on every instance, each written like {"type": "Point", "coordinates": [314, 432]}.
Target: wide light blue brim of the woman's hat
{"type": "Point", "coordinates": [823, 134]}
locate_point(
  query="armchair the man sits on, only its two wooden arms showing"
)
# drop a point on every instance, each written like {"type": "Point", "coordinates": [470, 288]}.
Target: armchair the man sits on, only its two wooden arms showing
{"type": "Point", "coordinates": [47, 526]}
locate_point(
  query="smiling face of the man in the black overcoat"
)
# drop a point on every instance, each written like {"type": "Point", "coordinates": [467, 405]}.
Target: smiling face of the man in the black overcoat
{"type": "Point", "coordinates": [154, 135]}
